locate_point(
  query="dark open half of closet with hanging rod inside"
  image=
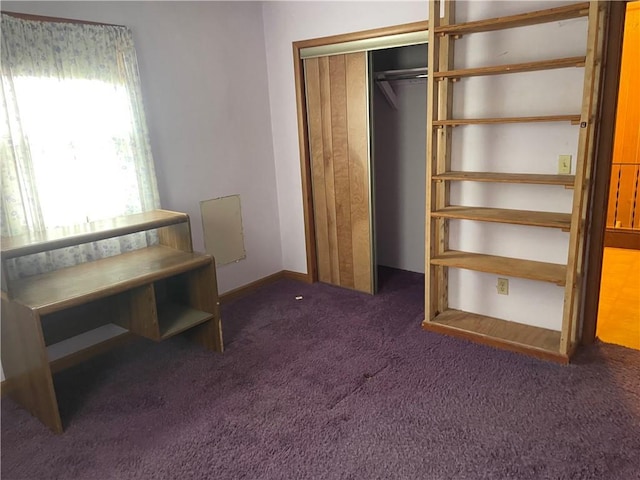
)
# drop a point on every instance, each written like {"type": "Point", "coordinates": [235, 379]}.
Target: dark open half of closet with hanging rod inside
{"type": "Point", "coordinates": [398, 96]}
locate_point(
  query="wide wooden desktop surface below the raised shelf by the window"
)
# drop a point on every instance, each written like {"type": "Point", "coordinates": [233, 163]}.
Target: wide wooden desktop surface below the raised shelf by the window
{"type": "Point", "coordinates": [82, 283]}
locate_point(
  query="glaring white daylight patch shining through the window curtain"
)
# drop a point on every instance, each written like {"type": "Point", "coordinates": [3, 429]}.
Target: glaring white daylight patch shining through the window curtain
{"type": "Point", "coordinates": [80, 133]}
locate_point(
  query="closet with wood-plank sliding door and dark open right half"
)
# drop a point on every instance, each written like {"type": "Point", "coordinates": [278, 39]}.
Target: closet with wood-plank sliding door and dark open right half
{"type": "Point", "coordinates": [366, 115]}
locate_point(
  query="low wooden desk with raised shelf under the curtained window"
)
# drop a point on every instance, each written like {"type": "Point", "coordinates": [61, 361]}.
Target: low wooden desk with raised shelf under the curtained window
{"type": "Point", "coordinates": [57, 319]}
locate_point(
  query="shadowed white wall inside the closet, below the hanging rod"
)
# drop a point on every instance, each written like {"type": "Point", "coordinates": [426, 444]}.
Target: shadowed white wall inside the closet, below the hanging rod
{"type": "Point", "coordinates": [399, 172]}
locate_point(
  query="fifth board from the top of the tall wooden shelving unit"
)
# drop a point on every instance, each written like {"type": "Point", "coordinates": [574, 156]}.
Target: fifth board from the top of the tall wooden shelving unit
{"type": "Point", "coordinates": [501, 215]}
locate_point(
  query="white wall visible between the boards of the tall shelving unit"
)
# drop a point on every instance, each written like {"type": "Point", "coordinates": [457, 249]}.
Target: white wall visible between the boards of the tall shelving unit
{"type": "Point", "coordinates": [530, 148]}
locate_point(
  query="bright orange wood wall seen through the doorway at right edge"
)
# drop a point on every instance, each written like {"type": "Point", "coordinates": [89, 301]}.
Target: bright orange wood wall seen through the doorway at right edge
{"type": "Point", "coordinates": [623, 193]}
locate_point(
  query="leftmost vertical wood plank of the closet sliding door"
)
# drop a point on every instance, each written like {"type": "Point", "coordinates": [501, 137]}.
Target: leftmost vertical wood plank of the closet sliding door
{"type": "Point", "coordinates": [316, 148]}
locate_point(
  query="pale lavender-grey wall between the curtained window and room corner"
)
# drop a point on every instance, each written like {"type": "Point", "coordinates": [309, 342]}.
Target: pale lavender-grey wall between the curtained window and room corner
{"type": "Point", "coordinates": [204, 82]}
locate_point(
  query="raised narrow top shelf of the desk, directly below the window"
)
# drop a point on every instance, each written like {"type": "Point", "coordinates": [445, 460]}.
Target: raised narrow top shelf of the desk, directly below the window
{"type": "Point", "coordinates": [65, 237]}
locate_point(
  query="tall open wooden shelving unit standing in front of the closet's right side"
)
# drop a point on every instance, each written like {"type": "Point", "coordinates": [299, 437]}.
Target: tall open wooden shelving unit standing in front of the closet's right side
{"type": "Point", "coordinates": [503, 333]}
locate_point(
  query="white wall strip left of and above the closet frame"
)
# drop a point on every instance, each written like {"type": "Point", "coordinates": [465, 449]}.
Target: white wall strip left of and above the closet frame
{"type": "Point", "coordinates": [284, 23]}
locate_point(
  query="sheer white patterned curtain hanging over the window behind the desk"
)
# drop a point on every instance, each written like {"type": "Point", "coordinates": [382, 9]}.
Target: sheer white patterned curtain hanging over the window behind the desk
{"type": "Point", "coordinates": [74, 143]}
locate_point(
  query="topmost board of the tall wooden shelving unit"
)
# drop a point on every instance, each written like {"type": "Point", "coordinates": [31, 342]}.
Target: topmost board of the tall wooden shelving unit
{"type": "Point", "coordinates": [521, 20]}
